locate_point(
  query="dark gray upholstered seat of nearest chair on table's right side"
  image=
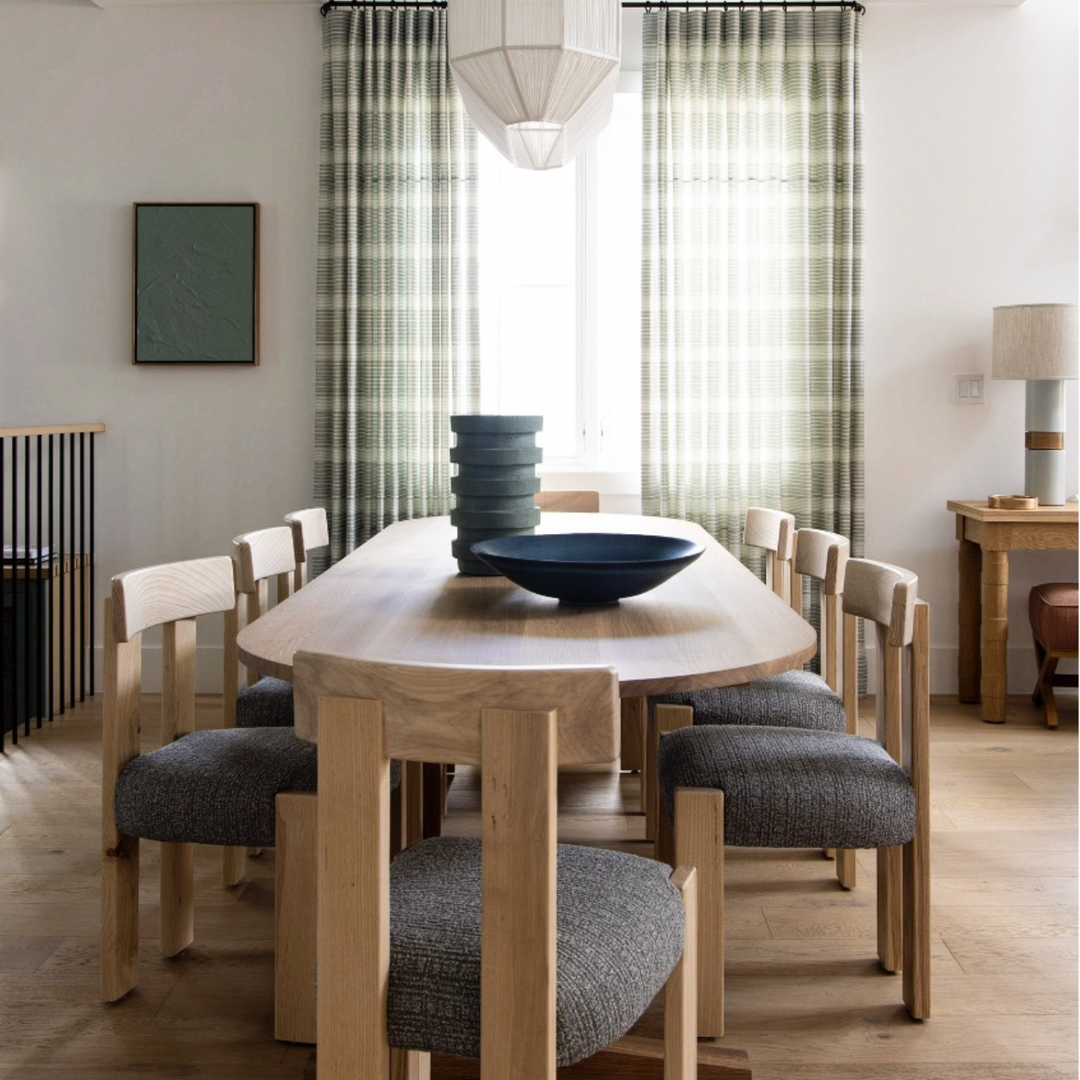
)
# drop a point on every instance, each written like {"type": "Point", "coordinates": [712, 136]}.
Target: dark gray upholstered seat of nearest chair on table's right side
{"type": "Point", "coordinates": [793, 788]}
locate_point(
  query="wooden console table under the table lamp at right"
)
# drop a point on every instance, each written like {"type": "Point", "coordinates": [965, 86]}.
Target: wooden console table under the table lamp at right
{"type": "Point", "coordinates": [987, 537]}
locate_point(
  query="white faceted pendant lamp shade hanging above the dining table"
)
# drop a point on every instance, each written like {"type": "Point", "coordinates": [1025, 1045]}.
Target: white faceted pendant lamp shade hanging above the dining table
{"type": "Point", "coordinates": [538, 77]}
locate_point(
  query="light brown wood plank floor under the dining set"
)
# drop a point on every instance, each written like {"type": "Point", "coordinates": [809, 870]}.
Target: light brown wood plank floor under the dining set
{"type": "Point", "coordinates": [805, 996]}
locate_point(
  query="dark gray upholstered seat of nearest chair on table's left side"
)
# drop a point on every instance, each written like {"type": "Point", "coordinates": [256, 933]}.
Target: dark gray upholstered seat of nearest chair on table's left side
{"type": "Point", "coordinates": [214, 787]}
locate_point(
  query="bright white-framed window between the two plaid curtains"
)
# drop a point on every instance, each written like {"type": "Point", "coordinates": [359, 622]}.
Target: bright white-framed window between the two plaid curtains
{"type": "Point", "coordinates": [560, 296]}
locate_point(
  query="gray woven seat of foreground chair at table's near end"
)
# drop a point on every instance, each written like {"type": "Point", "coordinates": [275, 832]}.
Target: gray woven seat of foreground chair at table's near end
{"type": "Point", "coordinates": [610, 904]}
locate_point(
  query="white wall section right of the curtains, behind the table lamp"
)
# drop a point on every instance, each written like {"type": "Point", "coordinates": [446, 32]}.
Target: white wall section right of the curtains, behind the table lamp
{"type": "Point", "coordinates": [971, 202]}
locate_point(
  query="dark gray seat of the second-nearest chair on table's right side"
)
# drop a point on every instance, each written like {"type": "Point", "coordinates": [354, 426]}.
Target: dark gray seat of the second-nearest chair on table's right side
{"type": "Point", "coordinates": [791, 700]}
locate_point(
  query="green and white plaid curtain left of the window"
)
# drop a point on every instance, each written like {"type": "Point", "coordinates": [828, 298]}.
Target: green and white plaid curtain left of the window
{"type": "Point", "coordinates": [397, 318]}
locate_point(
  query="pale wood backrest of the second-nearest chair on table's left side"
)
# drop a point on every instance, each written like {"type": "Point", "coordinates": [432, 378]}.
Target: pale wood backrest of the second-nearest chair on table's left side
{"type": "Point", "coordinates": [260, 557]}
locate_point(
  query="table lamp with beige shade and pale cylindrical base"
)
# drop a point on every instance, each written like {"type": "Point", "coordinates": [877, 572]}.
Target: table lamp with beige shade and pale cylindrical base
{"type": "Point", "coordinates": [1038, 343]}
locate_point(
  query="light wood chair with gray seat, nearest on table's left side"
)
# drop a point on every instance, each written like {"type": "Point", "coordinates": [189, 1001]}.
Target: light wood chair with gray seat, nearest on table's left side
{"type": "Point", "coordinates": [211, 787]}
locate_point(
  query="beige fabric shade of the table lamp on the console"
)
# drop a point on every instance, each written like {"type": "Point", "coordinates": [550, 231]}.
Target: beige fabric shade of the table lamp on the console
{"type": "Point", "coordinates": [1035, 342]}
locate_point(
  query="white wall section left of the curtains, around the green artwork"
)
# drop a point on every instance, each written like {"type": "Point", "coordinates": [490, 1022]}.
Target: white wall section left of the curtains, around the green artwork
{"type": "Point", "coordinates": [100, 110]}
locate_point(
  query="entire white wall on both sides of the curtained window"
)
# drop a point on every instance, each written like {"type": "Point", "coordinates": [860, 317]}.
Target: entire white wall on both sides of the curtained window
{"type": "Point", "coordinates": [971, 193]}
